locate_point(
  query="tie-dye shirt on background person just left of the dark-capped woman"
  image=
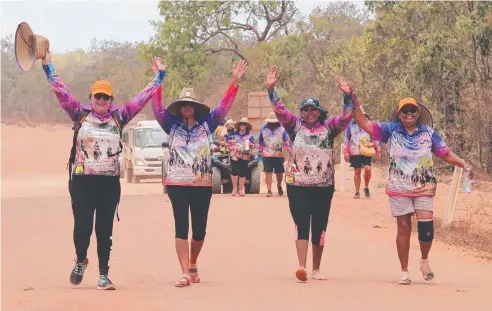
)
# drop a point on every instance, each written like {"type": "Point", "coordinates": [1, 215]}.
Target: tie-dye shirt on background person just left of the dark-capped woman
{"type": "Point", "coordinates": [272, 141]}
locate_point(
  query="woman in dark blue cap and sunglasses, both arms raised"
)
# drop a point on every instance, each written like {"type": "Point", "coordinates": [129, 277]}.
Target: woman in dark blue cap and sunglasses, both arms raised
{"type": "Point", "coordinates": [310, 167]}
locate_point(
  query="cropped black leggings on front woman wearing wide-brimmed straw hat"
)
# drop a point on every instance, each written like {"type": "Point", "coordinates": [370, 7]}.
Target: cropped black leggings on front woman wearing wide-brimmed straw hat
{"type": "Point", "coordinates": [196, 199]}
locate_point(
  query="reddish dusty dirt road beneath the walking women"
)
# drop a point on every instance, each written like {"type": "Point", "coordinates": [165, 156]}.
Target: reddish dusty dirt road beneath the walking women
{"type": "Point", "coordinates": [248, 261]}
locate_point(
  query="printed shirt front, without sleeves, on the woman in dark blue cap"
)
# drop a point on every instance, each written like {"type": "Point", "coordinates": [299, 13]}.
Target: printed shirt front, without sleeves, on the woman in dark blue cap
{"type": "Point", "coordinates": [310, 162]}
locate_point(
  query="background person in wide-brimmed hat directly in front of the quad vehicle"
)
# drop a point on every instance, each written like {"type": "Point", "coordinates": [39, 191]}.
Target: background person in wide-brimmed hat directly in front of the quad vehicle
{"type": "Point", "coordinates": [240, 144]}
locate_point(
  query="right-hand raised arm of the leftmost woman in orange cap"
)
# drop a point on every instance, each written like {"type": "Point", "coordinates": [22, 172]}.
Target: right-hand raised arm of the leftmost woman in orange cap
{"type": "Point", "coordinates": [136, 104]}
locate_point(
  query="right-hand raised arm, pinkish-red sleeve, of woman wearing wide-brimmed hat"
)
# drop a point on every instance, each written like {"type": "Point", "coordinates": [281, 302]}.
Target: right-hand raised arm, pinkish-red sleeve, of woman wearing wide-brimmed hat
{"type": "Point", "coordinates": [218, 113]}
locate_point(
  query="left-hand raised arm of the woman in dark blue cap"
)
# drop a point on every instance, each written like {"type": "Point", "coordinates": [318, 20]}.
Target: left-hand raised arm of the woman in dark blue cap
{"type": "Point", "coordinates": [284, 116]}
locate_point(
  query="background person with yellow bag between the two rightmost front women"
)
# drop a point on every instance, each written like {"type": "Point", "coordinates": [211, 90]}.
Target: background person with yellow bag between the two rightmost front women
{"type": "Point", "coordinates": [359, 148]}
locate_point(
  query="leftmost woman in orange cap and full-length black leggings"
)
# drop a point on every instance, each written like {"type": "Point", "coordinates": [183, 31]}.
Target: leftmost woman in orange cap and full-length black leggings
{"type": "Point", "coordinates": [95, 186]}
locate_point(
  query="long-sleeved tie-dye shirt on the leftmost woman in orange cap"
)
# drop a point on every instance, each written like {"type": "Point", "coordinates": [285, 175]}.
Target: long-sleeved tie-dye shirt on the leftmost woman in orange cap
{"type": "Point", "coordinates": [98, 138]}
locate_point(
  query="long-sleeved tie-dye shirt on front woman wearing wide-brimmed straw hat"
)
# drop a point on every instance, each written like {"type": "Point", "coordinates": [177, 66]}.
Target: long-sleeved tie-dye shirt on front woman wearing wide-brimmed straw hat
{"type": "Point", "coordinates": [190, 162]}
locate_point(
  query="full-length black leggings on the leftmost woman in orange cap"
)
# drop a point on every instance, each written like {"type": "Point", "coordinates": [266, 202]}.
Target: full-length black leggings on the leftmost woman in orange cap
{"type": "Point", "coordinates": [100, 194]}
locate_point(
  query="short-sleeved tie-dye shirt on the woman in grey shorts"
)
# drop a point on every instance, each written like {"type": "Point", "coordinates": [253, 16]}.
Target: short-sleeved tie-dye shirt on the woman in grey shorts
{"type": "Point", "coordinates": [411, 172]}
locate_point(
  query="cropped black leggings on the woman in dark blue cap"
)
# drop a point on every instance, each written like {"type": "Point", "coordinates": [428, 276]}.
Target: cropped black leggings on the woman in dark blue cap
{"type": "Point", "coordinates": [310, 206]}
